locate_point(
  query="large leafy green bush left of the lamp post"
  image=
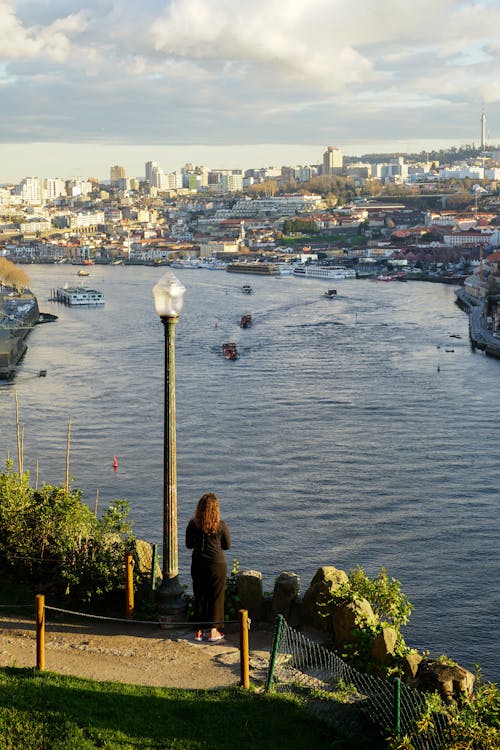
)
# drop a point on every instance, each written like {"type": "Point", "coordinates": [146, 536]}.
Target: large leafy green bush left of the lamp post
{"type": "Point", "coordinates": [52, 541]}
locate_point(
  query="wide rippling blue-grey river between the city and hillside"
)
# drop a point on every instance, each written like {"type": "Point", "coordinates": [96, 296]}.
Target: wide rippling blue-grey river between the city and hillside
{"type": "Point", "coordinates": [347, 433]}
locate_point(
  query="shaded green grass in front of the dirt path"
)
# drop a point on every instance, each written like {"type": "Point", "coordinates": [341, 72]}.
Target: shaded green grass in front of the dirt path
{"type": "Point", "coordinates": [53, 712]}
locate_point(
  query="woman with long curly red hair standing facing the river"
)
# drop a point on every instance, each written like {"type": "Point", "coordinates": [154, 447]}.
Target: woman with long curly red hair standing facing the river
{"type": "Point", "coordinates": [208, 535]}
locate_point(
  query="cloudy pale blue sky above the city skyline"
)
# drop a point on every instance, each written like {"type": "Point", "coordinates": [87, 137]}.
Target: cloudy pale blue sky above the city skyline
{"type": "Point", "coordinates": [90, 83]}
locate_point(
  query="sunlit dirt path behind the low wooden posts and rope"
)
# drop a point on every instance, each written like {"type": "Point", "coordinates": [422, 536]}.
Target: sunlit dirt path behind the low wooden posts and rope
{"type": "Point", "coordinates": [142, 655]}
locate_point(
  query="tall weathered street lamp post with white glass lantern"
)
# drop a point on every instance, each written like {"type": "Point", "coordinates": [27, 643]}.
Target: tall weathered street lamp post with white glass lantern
{"type": "Point", "coordinates": [169, 297]}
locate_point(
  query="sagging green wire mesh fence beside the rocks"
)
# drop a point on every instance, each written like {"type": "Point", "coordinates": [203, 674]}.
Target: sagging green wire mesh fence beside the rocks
{"type": "Point", "coordinates": [358, 702]}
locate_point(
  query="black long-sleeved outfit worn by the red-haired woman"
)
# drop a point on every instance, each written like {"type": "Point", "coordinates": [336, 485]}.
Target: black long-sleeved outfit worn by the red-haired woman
{"type": "Point", "coordinates": [209, 572]}
